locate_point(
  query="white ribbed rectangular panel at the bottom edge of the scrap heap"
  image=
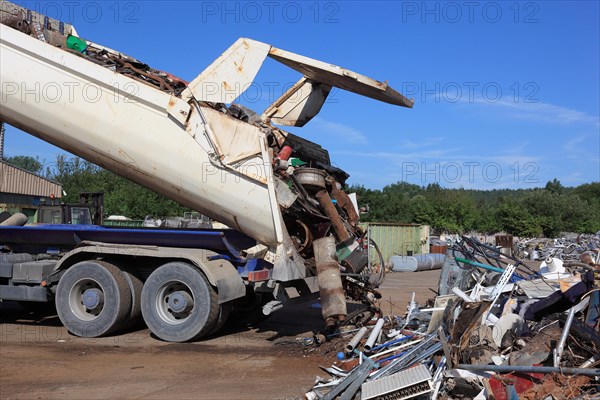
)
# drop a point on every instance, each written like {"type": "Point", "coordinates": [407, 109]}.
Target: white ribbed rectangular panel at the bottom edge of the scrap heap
{"type": "Point", "coordinates": [402, 385]}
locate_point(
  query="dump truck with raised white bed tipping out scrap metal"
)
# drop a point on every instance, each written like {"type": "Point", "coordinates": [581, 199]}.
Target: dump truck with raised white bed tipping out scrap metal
{"type": "Point", "coordinates": [294, 231]}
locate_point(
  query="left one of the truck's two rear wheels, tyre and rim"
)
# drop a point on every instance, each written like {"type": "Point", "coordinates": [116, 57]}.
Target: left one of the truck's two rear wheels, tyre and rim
{"type": "Point", "coordinates": [93, 299]}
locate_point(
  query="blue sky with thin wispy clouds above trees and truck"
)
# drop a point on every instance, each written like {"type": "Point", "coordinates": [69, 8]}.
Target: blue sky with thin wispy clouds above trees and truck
{"type": "Point", "coordinates": [506, 93]}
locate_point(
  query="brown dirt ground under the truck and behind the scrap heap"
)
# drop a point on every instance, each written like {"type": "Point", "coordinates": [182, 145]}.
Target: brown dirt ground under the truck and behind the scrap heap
{"type": "Point", "coordinates": [39, 359]}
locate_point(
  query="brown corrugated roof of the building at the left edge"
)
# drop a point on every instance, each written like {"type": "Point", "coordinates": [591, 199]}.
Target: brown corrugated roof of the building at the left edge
{"type": "Point", "coordinates": [19, 181]}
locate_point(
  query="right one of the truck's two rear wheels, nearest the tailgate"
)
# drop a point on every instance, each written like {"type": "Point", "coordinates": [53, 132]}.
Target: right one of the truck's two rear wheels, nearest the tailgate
{"type": "Point", "coordinates": [178, 303]}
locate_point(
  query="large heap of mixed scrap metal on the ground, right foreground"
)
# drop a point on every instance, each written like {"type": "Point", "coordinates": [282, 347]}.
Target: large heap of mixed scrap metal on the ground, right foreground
{"type": "Point", "coordinates": [498, 329]}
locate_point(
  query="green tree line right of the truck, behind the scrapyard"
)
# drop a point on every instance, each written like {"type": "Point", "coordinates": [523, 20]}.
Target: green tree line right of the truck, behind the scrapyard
{"type": "Point", "coordinates": [546, 211]}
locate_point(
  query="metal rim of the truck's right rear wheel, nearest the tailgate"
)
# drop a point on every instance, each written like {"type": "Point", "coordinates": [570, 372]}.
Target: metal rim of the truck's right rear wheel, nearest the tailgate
{"type": "Point", "coordinates": [174, 302]}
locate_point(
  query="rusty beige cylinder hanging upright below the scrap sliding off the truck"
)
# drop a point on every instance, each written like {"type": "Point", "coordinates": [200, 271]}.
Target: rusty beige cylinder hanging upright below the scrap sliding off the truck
{"type": "Point", "coordinates": [333, 299]}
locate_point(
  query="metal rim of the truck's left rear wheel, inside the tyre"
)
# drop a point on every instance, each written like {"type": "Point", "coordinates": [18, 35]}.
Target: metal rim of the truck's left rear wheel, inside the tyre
{"type": "Point", "coordinates": [86, 299]}
